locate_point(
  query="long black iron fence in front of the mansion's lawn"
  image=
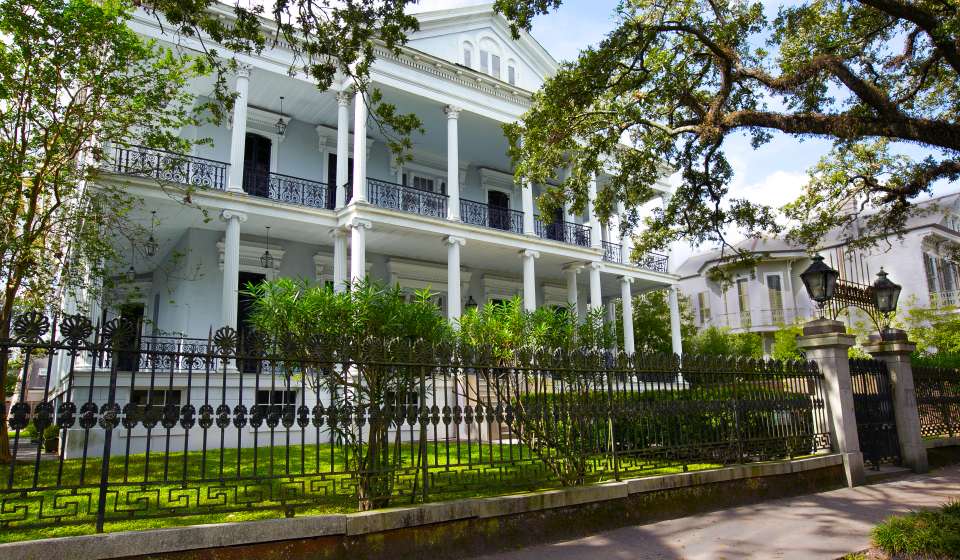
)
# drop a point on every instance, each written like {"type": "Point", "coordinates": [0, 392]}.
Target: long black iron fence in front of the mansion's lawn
{"type": "Point", "coordinates": [201, 428]}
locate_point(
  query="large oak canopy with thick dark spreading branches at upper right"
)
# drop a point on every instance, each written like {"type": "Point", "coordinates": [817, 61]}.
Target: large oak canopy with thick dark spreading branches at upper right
{"type": "Point", "coordinates": [674, 80]}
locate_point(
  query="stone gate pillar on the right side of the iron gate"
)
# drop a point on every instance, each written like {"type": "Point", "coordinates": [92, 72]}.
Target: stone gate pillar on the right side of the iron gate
{"type": "Point", "coordinates": [894, 349]}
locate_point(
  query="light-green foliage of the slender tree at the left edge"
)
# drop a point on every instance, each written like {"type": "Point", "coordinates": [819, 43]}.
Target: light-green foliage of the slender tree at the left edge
{"type": "Point", "coordinates": [73, 75]}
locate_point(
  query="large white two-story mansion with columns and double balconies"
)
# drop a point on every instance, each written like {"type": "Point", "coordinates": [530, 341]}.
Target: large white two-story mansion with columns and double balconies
{"type": "Point", "coordinates": [322, 195]}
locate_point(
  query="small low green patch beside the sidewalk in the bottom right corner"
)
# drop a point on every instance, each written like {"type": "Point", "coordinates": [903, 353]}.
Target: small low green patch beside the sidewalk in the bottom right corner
{"type": "Point", "coordinates": [922, 534]}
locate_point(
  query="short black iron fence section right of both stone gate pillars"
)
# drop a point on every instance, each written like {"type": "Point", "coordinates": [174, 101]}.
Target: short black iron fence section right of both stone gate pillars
{"type": "Point", "coordinates": [938, 400]}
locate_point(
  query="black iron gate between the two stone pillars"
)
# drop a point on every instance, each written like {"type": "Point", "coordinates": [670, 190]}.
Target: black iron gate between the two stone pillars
{"type": "Point", "coordinates": [873, 405]}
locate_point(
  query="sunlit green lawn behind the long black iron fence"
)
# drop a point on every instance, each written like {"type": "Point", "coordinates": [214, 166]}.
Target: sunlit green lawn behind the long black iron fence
{"type": "Point", "coordinates": [228, 485]}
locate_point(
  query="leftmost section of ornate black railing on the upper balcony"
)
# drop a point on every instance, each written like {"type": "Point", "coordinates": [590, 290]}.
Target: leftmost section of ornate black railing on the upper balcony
{"type": "Point", "coordinates": [168, 166]}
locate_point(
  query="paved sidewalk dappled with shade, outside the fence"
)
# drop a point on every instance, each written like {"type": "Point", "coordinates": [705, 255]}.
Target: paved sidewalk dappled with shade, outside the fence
{"type": "Point", "coordinates": [826, 526]}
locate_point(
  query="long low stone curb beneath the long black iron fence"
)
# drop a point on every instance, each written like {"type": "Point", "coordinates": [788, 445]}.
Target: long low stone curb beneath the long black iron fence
{"type": "Point", "coordinates": [177, 539]}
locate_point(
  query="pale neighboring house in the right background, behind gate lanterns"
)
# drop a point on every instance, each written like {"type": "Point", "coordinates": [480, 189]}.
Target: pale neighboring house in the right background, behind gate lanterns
{"type": "Point", "coordinates": [765, 297]}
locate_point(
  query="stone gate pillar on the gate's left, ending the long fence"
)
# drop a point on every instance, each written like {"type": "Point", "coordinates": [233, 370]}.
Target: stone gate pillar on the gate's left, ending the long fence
{"type": "Point", "coordinates": [826, 342]}
